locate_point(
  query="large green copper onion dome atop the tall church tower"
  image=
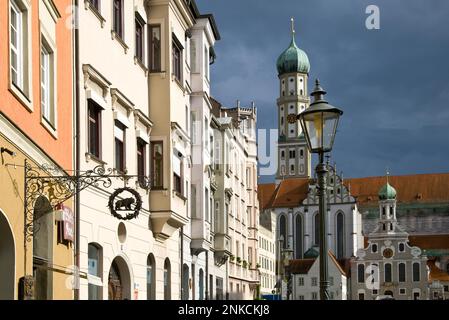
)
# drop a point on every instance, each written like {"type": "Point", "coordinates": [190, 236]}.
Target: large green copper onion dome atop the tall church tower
{"type": "Point", "coordinates": [293, 60]}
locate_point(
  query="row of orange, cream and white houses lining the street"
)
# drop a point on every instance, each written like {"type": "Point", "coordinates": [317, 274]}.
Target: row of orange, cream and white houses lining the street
{"type": "Point", "coordinates": [121, 177]}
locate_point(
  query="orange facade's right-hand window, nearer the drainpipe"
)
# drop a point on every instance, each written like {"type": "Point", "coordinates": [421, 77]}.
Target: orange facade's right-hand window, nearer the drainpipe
{"type": "Point", "coordinates": [47, 84]}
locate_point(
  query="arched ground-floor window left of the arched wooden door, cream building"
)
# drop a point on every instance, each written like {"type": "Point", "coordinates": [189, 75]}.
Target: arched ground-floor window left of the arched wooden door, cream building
{"type": "Point", "coordinates": [95, 270]}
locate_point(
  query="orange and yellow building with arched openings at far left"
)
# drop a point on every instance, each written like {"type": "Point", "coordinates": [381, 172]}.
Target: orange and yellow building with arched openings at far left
{"type": "Point", "coordinates": [36, 127]}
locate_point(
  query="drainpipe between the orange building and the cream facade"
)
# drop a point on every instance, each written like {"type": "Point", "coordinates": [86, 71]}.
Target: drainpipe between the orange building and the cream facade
{"type": "Point", "coordinates": [77, 151]}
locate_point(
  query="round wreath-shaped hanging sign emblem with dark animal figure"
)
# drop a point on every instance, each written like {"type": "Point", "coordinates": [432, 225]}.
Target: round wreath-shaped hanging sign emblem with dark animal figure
{"type": "Point", "coordinates": [125, 204]}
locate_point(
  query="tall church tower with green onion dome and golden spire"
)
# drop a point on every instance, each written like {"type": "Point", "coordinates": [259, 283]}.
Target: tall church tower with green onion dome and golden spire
{"type": "Point", "coordinates": [293, 70]}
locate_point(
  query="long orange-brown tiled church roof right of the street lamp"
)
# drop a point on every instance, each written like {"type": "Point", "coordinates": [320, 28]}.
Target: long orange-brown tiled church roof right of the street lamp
{"type": "Point", "coordinates": [418, 188]}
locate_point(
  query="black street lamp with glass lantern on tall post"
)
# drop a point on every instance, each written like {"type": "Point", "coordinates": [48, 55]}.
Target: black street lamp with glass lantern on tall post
{"type": "Point", "coordinates": [319, 123]}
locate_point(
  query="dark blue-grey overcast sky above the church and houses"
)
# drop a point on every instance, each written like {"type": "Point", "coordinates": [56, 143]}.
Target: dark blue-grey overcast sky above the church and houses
{"type": "Point", "coordinates": [392, 83]}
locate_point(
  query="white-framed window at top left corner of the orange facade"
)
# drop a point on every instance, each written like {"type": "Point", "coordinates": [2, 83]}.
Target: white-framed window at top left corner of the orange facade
{"type": "Point", "coordinates": [23, 89]}
